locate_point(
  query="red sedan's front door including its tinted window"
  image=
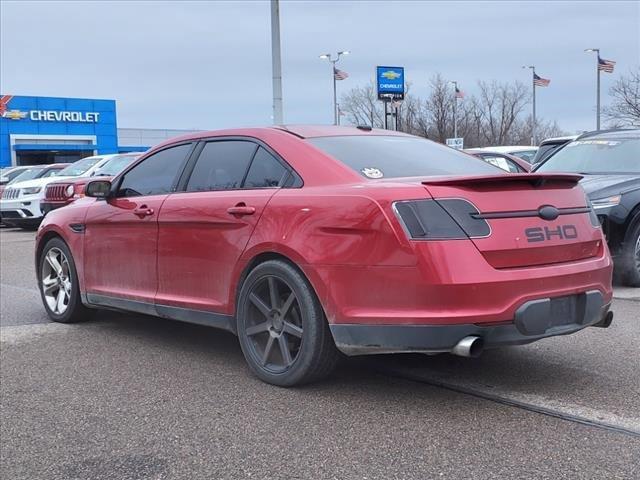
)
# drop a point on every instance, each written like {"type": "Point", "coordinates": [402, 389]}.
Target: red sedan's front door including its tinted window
{"type": "Point", "coordinates": [121, 232]}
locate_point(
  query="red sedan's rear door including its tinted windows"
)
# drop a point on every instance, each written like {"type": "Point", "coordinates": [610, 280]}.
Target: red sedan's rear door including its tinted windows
{"type": "Point", "coordinates": [204, 229]}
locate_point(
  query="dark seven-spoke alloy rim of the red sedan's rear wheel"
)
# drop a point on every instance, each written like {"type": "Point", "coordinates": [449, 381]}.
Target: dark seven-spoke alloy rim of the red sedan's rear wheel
{"type": "Point", "coordinates": [273, 324]}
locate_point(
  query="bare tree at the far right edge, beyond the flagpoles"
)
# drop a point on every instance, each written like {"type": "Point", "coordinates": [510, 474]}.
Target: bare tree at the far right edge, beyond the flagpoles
{"type": "Point", "coordinates": [625, 107]}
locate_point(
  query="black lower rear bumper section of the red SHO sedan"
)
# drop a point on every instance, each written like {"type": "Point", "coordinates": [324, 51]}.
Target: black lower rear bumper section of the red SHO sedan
{"type": "Point", "coordinates": [534, 320]}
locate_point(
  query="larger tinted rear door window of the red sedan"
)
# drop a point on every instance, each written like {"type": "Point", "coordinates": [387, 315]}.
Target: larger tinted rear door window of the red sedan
{"type": "Point", "coordinates": [222, 165]}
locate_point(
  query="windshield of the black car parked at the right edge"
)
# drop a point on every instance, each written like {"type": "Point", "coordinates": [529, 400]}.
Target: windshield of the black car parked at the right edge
{"type": "Point", "coordinates": [596, 156]}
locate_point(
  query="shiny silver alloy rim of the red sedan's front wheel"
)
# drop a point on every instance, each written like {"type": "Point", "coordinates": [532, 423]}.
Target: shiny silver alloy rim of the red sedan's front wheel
{"type": "Point", "coordinates": [56, 281]}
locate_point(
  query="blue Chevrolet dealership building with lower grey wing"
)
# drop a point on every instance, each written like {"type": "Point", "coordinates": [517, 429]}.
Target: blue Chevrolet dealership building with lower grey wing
{"type": "Point", "coordinates": [35, 130]}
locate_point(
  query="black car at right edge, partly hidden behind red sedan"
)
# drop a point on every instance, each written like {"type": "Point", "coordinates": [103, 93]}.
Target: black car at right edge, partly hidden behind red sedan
{"type": "Point", "coordinates": [610, 164]}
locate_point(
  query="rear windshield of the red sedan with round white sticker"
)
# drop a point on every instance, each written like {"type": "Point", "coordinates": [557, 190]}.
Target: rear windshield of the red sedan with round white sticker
{"type": "Point", "coordinates": [394, 157]}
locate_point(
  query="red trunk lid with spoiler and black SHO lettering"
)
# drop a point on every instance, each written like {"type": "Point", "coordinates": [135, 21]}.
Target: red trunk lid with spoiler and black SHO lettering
{"type": "Point", "coordinates": [534, 219]}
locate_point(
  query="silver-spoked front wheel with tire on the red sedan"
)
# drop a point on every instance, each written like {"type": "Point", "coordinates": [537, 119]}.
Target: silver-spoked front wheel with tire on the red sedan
{"type": "Point", "coordinates": [58, 278]}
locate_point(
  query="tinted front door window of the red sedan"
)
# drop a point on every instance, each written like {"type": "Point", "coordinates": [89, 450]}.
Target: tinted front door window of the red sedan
{"type": "Point", "coordinates": [156, 174]}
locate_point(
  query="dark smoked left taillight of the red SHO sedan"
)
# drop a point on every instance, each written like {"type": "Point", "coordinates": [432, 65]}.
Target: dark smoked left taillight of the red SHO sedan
{"type": "Point", "coordinates": [440, 219]}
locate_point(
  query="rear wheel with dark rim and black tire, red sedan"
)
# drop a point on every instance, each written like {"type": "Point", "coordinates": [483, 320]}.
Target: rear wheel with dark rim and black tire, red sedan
{"type": "Point", "coordinates": [278, 312]}
